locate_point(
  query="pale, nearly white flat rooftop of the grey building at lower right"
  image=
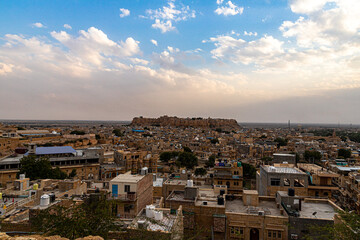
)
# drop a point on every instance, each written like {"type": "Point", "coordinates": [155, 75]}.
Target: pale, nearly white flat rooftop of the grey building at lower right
{"type": "Point", "coordinates": [323, 210]}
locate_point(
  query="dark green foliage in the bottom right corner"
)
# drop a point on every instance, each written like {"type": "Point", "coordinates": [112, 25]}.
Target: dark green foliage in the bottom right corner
{"type": "Point", "coordinates": [346, 228]}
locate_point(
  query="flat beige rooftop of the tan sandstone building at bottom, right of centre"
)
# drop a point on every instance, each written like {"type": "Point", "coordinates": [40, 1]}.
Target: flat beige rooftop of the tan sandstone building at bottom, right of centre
{"type": "Point", "coordinates": [237, 206]}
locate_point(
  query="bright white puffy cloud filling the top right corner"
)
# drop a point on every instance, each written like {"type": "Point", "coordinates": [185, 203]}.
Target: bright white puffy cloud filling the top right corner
{"type": "Point", "coordinates": [322, 25]}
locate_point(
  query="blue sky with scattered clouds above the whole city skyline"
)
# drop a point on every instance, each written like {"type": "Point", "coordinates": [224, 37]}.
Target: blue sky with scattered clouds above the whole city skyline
{"type": "Point", "coordinates": [251, 60]}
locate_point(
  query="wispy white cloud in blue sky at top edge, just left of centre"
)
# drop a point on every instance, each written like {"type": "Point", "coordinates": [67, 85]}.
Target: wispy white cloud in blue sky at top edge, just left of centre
{"type": "Point", "coordinates": [165, 16]}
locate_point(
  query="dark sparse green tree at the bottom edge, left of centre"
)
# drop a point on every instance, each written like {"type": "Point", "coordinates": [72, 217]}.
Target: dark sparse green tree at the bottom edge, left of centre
{"type": "Point", "coordinates": [90, 218]}
